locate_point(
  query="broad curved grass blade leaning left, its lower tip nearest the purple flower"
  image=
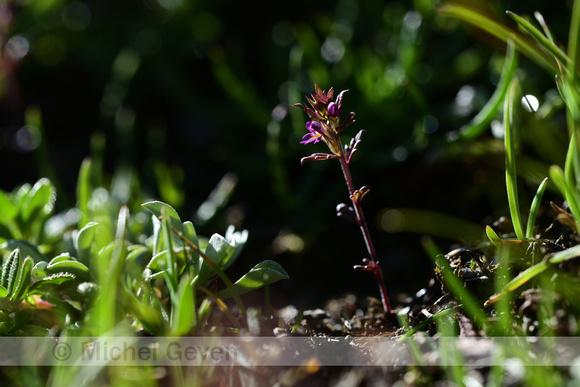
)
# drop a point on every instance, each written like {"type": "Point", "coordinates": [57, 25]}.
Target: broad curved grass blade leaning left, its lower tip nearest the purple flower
{"type": "Point", "coordinates": [482, 120]}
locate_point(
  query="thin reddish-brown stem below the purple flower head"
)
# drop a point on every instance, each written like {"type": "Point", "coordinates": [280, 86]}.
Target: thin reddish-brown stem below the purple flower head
{"type": "Point", "coordinates": [373, 266]}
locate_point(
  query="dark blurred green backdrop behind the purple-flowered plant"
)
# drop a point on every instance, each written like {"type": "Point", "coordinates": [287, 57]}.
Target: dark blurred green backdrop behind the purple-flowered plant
{"type": "Point", "coordinates": [190, 102]}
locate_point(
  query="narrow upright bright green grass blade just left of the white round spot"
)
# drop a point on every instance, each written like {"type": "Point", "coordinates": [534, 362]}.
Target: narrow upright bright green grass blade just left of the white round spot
{"type": "Point", "coordinates": [510, 162]}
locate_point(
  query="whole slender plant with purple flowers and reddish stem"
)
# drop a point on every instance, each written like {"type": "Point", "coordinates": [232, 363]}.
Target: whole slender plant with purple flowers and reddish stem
{"type": "Point", "coordinates": [325, 125]}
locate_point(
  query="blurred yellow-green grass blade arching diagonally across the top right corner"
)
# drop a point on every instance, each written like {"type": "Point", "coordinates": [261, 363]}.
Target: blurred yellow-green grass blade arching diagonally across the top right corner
{"type": "Point", "coordinates": [524, 44]}
